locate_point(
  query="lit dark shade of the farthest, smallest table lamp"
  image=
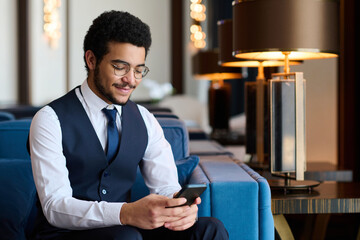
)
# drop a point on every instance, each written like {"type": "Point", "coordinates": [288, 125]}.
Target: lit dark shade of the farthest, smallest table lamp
{"type": "Point", "coordinates": [205, 66]}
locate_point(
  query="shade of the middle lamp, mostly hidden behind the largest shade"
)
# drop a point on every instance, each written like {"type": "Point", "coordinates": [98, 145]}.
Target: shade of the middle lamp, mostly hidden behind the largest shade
{"type": "Point", "coordinates": [226, 59]}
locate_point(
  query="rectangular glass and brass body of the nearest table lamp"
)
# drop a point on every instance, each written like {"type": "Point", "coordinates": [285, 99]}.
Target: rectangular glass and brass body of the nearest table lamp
{"type": "Point", "coordinates": [287, 123]}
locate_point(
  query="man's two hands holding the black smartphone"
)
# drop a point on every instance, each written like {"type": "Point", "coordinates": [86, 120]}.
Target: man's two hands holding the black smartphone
{"type": "Point", "coordinates": [153, 211]}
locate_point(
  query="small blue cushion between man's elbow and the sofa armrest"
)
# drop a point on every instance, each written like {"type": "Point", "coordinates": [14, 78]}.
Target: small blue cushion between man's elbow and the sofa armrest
{"type": "Point", "coordinates": [185, 167]}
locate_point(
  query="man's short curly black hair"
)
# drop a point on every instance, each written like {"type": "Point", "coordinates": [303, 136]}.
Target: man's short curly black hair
{"type": "Point", "coordinates": [115, 26]}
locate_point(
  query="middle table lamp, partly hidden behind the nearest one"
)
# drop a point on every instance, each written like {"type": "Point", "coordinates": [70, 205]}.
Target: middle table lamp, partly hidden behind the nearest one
{"type": "Point", "coordinates": [256, 95]}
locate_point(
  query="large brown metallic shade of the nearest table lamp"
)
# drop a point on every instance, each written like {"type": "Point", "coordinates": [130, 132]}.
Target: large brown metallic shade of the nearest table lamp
{"type": "Point", "coordinates": [264, 29]}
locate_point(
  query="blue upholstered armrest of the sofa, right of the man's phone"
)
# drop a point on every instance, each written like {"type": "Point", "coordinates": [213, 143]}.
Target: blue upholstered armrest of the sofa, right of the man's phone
{"type": "Point", "coordinates": [240, 198]}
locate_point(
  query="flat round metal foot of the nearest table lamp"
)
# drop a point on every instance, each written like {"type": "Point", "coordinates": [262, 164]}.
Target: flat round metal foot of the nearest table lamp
{"type": "Point", "coordinates": [290, 185]}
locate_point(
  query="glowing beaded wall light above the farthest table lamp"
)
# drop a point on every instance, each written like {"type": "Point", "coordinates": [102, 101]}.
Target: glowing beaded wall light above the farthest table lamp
{"type": "Point", "coordinates": [197, 14]}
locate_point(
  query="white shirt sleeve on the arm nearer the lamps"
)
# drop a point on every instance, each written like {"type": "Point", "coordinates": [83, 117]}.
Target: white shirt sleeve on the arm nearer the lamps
{"type": "Point", "coordinates": [158, 165]}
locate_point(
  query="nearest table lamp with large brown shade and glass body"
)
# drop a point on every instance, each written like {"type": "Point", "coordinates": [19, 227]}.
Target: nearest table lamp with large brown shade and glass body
{"type": "Point", "coordinates": [286, 30]}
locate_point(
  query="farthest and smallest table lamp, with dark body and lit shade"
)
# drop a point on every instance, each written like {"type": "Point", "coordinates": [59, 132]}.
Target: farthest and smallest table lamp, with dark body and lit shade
{"type": "Point", "coordinates": [205, 66]}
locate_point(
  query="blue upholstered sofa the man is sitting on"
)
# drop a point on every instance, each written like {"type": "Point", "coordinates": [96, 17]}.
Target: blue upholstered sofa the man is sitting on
{"type": "Point", "coordinates": [236, 194]}
